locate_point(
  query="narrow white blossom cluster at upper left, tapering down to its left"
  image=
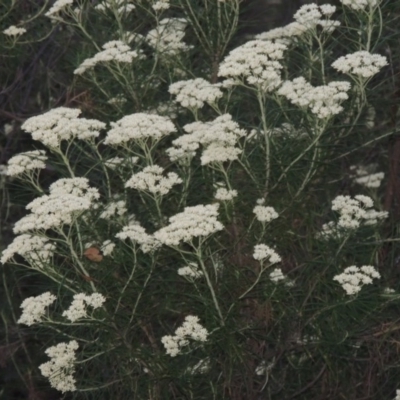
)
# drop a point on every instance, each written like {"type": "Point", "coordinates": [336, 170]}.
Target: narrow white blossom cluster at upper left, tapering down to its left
{"type": "Point", "coordinates": [115, 50]}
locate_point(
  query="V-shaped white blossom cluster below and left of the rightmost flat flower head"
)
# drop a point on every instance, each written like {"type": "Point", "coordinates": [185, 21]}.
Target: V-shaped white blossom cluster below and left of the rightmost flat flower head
{"type": "Point", "coordinates": [324, 101]}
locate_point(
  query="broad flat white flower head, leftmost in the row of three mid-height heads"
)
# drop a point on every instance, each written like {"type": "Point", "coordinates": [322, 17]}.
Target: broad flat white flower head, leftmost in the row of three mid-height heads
{"type": "Point", "coordinates": [62, 124]}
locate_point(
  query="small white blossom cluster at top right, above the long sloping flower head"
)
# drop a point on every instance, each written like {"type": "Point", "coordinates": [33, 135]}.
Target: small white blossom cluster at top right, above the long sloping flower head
{"type": "Point", "coordinates": [309, 16]}
